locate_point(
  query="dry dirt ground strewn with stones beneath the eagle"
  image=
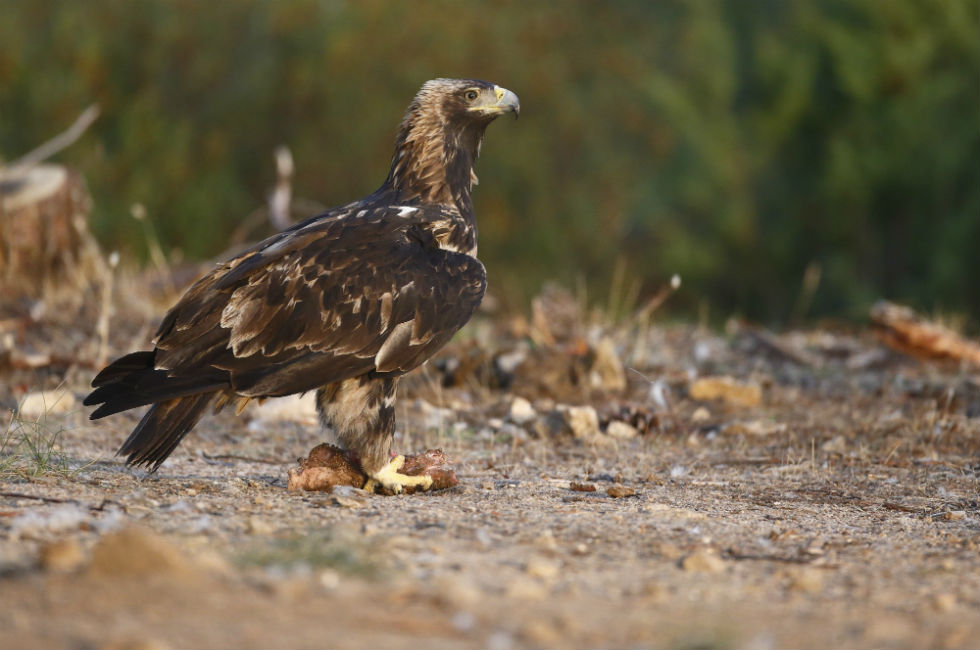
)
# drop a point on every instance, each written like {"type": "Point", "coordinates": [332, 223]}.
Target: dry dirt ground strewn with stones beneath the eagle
{"type": "Point", "coordinates": [826, 497]}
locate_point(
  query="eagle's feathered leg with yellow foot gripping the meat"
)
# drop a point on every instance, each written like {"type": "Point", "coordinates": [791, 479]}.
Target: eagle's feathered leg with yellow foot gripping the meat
{"type": "Point", "coordinates": [361, 412]}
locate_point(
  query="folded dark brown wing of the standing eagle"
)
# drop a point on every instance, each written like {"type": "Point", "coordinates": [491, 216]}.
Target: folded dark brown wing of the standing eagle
{"type": "Point", "coordinates": [368, 292]}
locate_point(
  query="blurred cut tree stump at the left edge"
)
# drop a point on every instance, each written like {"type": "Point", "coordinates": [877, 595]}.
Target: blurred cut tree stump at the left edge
{"type": "Point", "coordinates": [43, 223]}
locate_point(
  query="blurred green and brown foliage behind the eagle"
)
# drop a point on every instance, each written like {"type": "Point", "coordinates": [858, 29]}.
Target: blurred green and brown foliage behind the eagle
{"type": "Point", "coordinates": [736, 143]}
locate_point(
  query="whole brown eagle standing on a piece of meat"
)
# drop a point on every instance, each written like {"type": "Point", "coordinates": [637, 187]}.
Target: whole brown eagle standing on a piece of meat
{"type": "Point", "coordinates": [343, 303]}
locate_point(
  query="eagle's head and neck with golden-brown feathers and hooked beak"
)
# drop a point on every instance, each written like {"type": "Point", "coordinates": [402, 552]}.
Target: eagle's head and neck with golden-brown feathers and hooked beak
{"type": "Point", "coordinates": [439, 139]}
